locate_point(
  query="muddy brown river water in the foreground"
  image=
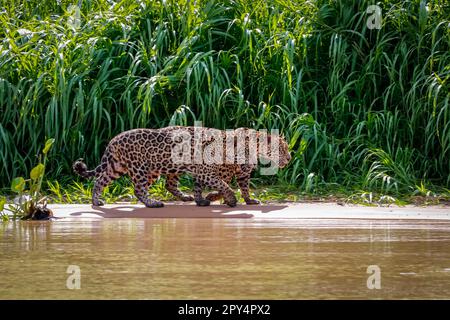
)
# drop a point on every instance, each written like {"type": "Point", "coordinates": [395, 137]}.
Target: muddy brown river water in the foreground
{"type": "Point", "coordinates": [224, 259]}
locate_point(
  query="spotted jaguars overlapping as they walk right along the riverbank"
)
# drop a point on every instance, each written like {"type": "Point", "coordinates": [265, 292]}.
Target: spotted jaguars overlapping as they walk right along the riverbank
{"type": "Point", "coordinates": [146, 154]}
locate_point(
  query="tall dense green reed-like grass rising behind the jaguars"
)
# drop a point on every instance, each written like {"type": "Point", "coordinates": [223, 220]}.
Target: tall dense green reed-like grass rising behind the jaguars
{"type": "Point", "coordinates": [364, 109]}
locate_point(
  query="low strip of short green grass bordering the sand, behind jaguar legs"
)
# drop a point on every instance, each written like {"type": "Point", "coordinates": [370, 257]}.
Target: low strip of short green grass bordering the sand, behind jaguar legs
{"type": "Point", "coordinates": [122, 191]}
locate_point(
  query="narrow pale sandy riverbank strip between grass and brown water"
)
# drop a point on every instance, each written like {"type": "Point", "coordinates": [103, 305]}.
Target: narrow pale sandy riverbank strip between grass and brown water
{"type": "Point", "coordinates": [270, 211]}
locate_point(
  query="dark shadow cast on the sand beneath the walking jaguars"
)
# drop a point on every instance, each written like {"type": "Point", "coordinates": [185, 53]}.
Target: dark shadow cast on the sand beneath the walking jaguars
{"type": "Point", "coordinates": [179, 211]}
